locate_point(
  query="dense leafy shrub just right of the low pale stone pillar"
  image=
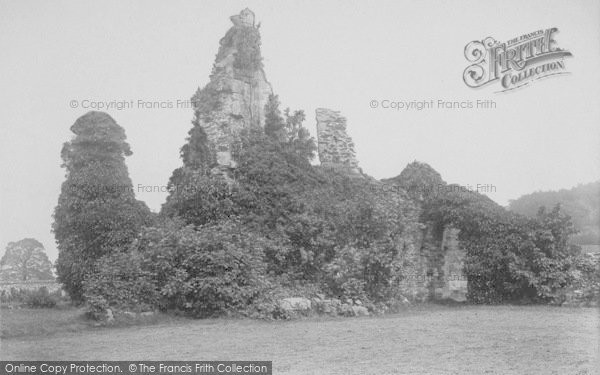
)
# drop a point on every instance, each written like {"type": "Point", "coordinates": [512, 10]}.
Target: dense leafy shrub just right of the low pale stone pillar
{"type": "Point", "coordinates": [521, 260]}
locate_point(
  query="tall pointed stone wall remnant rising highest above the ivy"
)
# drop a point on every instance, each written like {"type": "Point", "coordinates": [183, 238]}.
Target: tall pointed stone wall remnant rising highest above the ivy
{"type": "Point", "coordinates": [238, 90]}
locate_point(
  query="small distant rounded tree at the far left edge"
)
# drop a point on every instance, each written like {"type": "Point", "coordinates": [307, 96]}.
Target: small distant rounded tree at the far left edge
{"type": "Point", "coordinates": [25, 260]}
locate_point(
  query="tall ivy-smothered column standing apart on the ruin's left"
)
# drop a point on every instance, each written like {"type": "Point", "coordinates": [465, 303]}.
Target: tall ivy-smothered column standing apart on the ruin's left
{"type": "Point", "coordinates": [97, 212]}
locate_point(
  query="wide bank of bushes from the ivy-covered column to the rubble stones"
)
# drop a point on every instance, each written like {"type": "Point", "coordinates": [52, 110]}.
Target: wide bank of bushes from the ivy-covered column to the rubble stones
{"type": "Point", "coordinates": [203, 271]}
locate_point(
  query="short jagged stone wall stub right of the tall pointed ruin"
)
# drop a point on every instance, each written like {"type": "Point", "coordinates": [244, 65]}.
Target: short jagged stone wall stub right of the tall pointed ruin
{"type": "Point", "coordinates": [335, 146]}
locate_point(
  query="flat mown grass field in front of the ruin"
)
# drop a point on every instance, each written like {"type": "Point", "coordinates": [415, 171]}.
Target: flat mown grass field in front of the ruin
{"type": "Point", "coordinates": [422, 340]}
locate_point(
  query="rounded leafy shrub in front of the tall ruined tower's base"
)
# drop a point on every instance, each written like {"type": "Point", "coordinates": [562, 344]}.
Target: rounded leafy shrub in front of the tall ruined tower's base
{"type": "Point", "coordinates": [205, 271]}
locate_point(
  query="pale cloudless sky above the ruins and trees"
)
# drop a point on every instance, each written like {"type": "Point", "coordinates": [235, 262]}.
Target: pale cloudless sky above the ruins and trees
{"type": "Point", "coordinates": [334, 54]}
